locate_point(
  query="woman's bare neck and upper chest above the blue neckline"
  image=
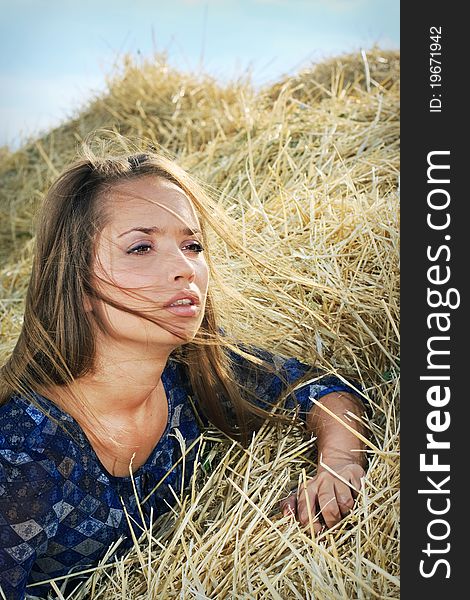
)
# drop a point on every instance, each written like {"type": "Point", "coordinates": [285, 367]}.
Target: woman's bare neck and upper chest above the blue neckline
{"type": "Point", "coordinates": [122, 405]}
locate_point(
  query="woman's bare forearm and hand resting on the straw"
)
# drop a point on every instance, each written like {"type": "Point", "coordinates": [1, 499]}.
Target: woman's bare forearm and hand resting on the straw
{"type": "Point", "coordinates": [341, 459]}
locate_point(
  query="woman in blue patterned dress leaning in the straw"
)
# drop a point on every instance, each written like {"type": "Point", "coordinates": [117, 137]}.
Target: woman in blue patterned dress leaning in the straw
{"type": "Point", "coordinates": [120, 346]}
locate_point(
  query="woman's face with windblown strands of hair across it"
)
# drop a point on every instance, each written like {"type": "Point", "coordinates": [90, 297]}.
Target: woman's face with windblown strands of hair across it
{"type": "Point", "coordinates": [149, 257]}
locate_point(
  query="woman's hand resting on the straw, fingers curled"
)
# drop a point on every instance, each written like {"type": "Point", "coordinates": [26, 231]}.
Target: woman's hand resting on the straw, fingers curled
{"type": "Point", "coordinates": [328, 496]}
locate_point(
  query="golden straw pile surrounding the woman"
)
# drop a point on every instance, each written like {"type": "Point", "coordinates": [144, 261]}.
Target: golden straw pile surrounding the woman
{"type": "Point", "coordinates": [308, 169]}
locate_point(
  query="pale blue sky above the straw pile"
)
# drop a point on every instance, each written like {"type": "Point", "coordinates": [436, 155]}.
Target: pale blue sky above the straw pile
{"type": "Point", "coordinates": [56, 54]}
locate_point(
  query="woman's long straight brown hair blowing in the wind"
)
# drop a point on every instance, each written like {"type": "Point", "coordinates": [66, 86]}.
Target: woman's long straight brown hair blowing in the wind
{"type": "Point", "coordinates": [57, 341]}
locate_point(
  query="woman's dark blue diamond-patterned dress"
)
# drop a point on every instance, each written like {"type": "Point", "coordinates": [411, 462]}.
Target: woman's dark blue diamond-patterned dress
{"type": "Point", "coordinates": [60, 509]}
